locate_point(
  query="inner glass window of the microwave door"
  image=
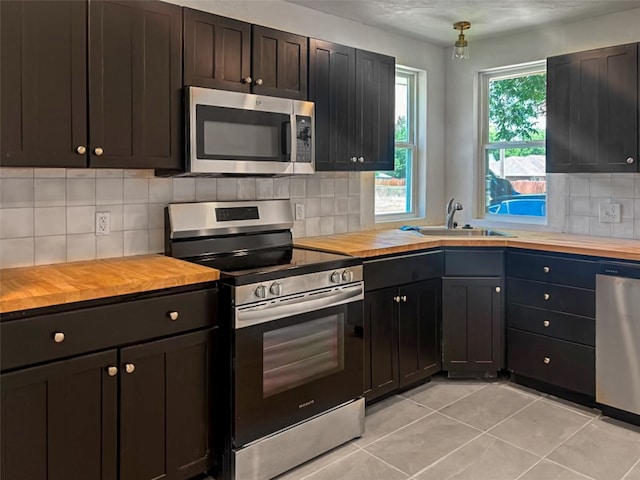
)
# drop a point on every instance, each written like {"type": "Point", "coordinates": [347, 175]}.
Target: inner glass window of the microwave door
{"type": "Point", "coordinates": [238, 139]}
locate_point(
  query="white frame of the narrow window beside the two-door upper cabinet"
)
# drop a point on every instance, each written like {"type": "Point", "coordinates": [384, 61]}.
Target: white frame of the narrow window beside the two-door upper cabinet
{"type": "Point", "coordinates": [412, 77]}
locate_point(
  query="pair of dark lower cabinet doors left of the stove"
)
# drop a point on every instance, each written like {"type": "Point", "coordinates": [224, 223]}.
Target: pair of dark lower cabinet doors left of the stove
{"type": "Point", "coordinates": [60, 420]}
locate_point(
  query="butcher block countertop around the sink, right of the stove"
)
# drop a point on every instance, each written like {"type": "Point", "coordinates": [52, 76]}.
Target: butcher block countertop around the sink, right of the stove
{"type": "Point", "coordinates": [375, 243]}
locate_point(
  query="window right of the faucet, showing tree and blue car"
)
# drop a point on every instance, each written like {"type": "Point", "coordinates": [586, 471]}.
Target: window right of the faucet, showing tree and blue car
{"type": "Point", "coordinates": [512, 135]}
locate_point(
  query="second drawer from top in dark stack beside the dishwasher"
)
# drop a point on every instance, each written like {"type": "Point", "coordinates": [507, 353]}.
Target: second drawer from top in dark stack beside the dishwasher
{"type": "Point", "coordinates": [577, 301]}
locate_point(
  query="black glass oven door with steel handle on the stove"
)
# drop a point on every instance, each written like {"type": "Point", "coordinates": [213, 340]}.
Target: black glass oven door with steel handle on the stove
{"type": "Point", "coordinates": [291, 368]}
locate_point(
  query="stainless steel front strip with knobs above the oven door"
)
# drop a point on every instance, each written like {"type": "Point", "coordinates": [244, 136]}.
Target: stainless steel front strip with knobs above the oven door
{"type": "Point", "coordinates": [297, 284]}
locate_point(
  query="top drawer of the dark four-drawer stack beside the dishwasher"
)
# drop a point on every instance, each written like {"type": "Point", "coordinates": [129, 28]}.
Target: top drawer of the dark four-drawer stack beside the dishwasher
{"type": "Point", "coordinates": [548, 268]}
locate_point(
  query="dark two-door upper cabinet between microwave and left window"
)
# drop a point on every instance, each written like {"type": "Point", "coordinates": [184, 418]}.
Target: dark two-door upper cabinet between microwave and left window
{"type": "Point", "coordinates": [354, 92]}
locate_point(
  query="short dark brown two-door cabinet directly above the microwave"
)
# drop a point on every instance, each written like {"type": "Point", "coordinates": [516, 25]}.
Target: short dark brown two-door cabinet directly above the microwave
{"type": "Point", "coordinates": [228, 54]}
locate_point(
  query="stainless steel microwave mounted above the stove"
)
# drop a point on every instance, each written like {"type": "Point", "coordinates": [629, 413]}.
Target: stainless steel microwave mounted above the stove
{"type": "Point", "coordinates": [244, 134]}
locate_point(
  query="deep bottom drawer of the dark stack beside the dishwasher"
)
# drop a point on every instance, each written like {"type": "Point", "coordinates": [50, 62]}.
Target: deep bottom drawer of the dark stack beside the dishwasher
{"type": "Point", "coordinates": [561, 363]}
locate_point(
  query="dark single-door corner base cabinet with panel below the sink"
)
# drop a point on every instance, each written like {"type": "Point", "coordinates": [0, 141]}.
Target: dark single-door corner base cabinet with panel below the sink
{"type": "Point", "coordinates": [473, 312]}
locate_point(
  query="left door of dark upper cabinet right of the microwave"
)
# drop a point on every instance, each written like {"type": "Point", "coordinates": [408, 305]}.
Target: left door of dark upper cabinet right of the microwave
{"type": "Point", "coordinates": [332, 81]}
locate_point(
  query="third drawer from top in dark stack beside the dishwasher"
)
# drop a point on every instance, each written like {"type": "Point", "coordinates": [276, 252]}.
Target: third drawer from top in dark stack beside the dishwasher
{"type": "Point", "coordinates": [564, 326]}
